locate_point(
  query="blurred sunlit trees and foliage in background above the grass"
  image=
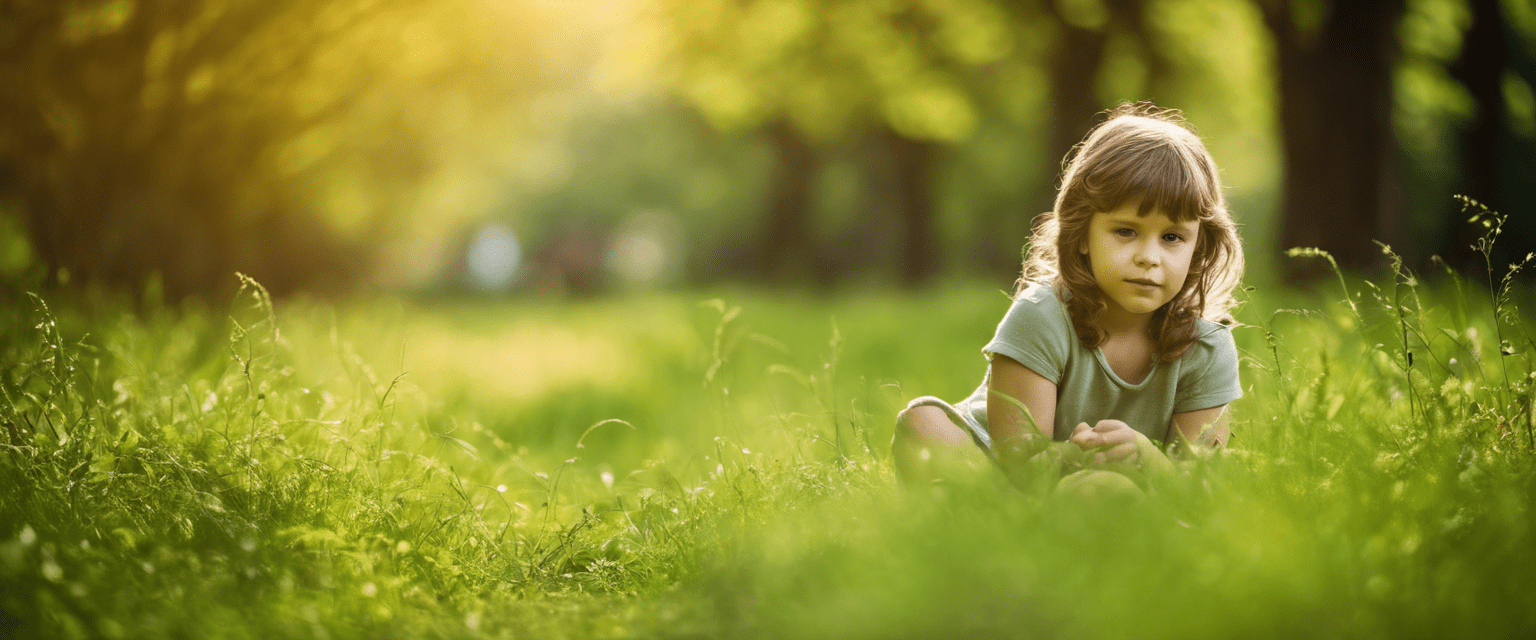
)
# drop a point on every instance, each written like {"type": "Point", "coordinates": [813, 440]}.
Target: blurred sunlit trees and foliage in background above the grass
{"type": "Point", "coordinates": [581, 147]}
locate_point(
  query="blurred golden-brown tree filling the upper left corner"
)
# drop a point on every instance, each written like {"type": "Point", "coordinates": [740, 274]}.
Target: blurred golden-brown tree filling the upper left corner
{"type": "Point", "coordinates": [196, 139]}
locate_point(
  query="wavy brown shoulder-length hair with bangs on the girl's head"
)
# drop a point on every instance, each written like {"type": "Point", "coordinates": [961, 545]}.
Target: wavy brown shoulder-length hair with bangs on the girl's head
{"type": "Point", "coordinates": [1151, 156]}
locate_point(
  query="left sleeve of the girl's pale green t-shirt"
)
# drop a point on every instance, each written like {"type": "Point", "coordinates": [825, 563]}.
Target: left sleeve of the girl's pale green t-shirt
{"type": "Point", "coordinates": [1036, 334]}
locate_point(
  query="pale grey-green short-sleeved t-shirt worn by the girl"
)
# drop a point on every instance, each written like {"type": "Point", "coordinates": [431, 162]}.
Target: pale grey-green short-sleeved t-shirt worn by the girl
{"type": "Point", "coordinates": [1039, 334]}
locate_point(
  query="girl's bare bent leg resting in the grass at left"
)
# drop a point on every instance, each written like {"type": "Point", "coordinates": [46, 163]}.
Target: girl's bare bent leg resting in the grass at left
{"type": "Point", "coordinates": [927, 443]}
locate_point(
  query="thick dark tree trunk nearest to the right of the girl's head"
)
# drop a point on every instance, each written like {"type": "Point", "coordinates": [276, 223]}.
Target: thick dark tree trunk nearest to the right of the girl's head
{"type": "Point", "coordinates": [1336, 97]}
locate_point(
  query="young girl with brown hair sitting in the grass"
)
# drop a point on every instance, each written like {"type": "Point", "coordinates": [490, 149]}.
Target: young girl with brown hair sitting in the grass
{"type": "Point", "coordinates": [1116, 338]}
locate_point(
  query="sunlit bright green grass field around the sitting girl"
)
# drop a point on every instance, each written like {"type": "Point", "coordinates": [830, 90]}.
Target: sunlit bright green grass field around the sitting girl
{"type": "Point", "coordinates": [718, 464]}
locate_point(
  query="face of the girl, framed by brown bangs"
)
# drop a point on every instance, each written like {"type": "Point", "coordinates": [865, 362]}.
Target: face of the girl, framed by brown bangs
{"type": "Point", "coordinates": [1140, 262]}
